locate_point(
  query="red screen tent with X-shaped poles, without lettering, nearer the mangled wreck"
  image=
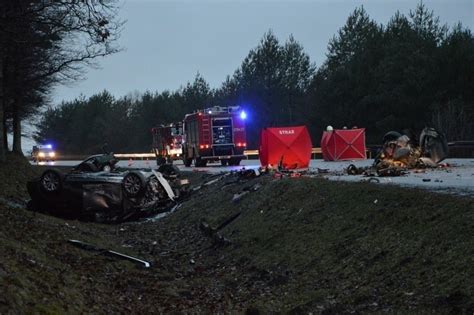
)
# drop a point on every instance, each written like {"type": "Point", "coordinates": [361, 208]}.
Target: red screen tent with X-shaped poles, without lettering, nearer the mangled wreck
{"type": "Point", "coordinates": [345, 144]}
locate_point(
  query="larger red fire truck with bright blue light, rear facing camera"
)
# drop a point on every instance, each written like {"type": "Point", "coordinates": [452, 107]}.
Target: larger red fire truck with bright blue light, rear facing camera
{"type": "Point", "coordinates": [214, 134]}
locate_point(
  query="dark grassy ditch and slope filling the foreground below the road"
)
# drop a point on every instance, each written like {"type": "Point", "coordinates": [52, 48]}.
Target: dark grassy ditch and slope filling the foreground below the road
{"type": "Point", "coordinates": [294, 245]}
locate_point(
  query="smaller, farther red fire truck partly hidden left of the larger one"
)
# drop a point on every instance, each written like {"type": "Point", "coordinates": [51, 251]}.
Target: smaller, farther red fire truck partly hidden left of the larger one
{"type": "Point", "coordinates": [167, 142]}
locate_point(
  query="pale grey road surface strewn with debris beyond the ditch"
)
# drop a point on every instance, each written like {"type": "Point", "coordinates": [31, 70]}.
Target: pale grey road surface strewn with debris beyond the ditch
{"type": "Point", "coordinates": [458, 178]}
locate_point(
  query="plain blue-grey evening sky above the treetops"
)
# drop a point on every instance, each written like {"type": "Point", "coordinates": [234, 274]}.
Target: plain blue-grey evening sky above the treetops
{"type": "Point", "coordinates": [167, 42]}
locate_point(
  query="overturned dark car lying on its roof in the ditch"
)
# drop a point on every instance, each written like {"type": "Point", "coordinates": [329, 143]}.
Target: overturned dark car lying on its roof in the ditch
{"type": "Point", "coordinates": [107, 195]}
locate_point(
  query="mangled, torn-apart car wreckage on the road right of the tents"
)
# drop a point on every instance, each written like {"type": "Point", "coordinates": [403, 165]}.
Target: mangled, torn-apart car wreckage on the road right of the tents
{"type": "Point", "coordinates": [403, 151]}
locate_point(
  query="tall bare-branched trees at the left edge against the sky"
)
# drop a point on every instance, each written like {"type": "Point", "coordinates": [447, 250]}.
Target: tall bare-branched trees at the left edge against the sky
{"type": "Point", "coordinates": [44, 43]}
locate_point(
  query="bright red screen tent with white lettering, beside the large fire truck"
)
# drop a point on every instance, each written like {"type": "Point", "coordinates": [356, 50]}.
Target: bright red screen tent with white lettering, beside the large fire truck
{"type": "Point", "coordinates": [293, 144]}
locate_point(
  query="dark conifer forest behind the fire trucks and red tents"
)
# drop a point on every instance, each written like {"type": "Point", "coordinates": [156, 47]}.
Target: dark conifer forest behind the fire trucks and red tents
{"type": "Point", "coordinates": [410, 73]}
